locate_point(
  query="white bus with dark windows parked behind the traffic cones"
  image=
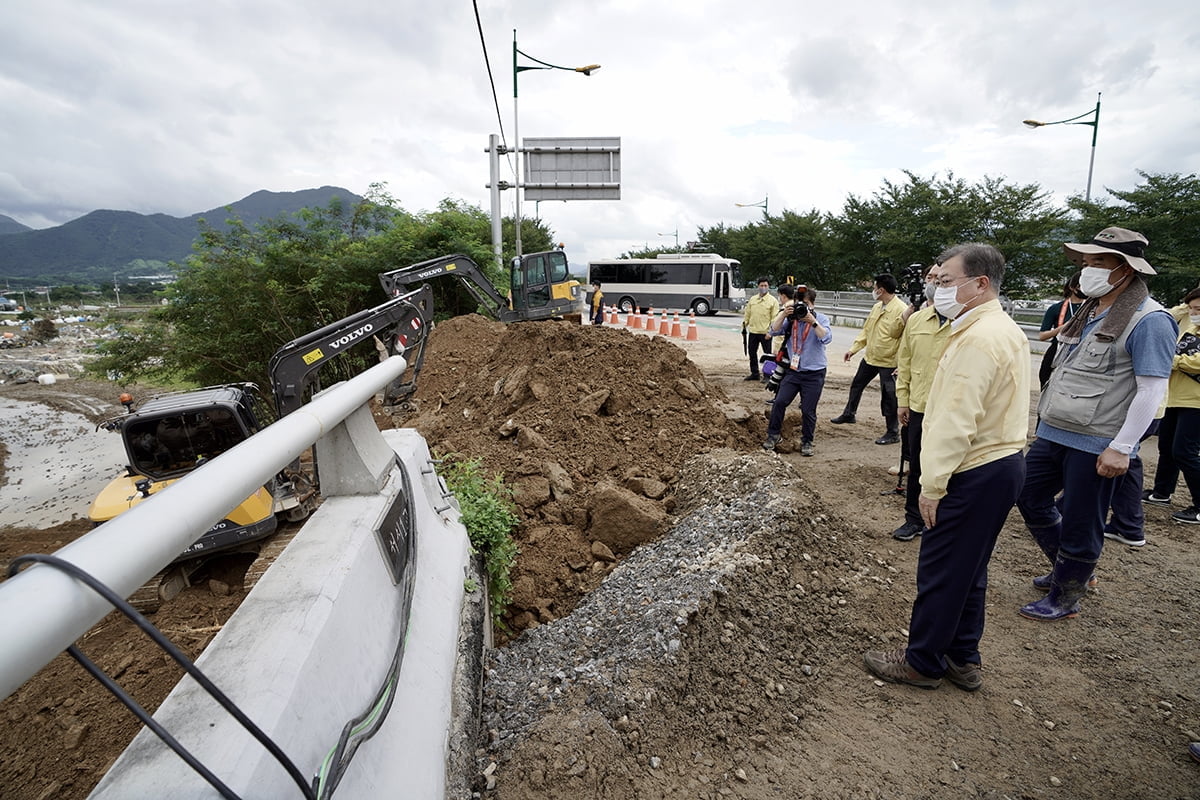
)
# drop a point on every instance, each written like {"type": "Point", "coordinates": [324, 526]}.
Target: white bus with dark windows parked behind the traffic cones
{"type": "Point", "coordinates": [703, 282]}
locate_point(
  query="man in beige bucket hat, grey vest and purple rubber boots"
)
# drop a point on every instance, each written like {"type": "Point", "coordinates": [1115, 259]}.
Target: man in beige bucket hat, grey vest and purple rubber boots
{"type": "Point", "coordinates": [1108, 381]}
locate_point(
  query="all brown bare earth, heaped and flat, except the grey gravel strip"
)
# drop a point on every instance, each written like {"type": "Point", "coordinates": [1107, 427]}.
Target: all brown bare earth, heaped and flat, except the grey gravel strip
{"type": "Point", "coordinates": [766, 695]}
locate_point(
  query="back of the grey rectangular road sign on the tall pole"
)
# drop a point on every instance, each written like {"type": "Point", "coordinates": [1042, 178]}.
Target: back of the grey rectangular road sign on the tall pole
{"type": "Point", "coordinates": [574, 169]}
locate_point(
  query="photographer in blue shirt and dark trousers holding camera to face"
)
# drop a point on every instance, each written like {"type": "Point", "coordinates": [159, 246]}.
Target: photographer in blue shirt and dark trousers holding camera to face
{"type": "Point", "coordinates": [806, 336]}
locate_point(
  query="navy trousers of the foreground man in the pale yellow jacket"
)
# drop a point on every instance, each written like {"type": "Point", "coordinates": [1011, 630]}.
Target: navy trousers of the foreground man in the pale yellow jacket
{"type": "Point", "coordinates": [952, 569]}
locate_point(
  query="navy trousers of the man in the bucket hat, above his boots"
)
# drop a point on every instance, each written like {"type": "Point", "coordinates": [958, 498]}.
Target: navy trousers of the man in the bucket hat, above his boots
{"type": "Point", "coordinates": [1078, 532]}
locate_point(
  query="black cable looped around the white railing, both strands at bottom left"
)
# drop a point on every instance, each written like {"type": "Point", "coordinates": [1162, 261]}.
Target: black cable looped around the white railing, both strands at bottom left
{"type": "Point", "coordinates": [170, 648]}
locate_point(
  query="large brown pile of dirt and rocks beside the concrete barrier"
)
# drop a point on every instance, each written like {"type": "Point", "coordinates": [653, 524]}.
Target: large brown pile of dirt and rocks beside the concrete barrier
{"type": "Point", "coordinates": [589, 425]}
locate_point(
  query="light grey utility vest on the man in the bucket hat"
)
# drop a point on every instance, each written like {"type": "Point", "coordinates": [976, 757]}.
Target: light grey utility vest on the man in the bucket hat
{"type": "Point", "coordinates": [1093, 386]}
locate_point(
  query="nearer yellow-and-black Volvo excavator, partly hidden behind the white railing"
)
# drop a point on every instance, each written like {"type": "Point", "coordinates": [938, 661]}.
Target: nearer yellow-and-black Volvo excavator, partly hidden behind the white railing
{"type": "Point", "coordinates": [169, 436]}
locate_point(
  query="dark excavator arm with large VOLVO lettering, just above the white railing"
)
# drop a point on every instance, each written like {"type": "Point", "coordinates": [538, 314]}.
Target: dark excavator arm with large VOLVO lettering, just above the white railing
{"type": "Point", "coordinates": [403, 322]}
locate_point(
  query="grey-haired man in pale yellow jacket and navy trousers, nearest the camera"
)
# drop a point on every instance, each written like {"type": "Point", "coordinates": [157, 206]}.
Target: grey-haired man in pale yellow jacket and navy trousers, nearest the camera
{"type": "Point", "coordinates": [973, 471]}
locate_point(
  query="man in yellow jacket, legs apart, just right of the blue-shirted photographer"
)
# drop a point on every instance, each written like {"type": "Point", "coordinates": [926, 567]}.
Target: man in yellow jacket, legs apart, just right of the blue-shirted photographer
{"type": "Point", "coordinates": [881, 339]}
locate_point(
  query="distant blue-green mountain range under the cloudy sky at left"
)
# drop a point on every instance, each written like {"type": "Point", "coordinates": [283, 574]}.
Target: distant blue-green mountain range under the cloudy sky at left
{"type": "Point", "coordinates": [101, 243]}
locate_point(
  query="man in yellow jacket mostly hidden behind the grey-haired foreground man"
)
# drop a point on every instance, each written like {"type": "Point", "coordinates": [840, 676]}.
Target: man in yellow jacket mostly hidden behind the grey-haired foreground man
{"type": "Point", "coordinates": [926, 335]}
